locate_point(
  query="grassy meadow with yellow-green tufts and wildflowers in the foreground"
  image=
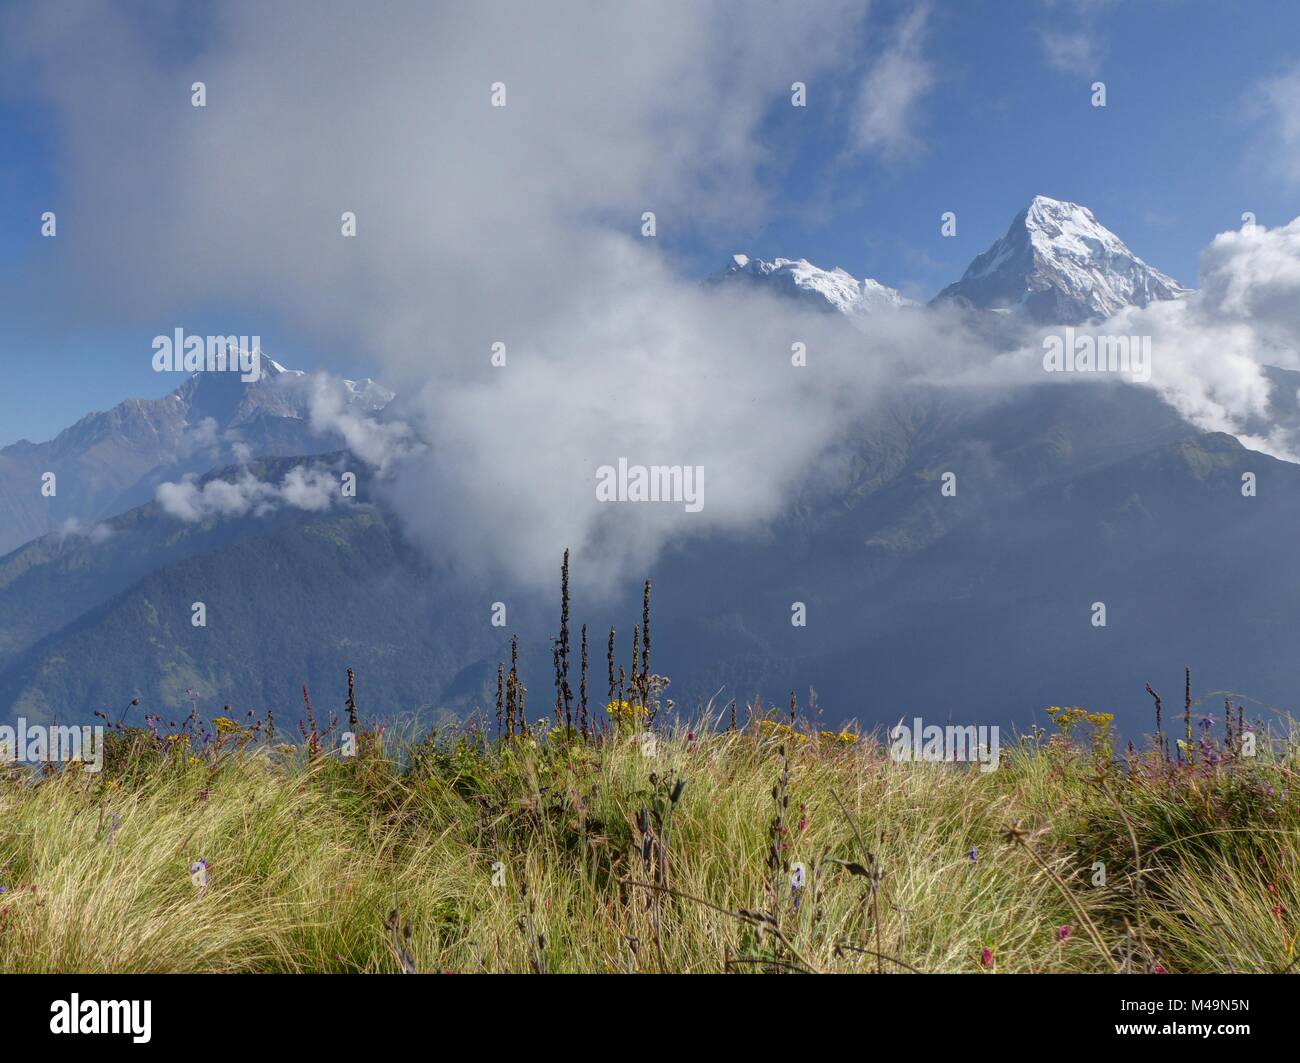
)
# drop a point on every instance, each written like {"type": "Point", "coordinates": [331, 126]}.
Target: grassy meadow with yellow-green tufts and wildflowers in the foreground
{"type": "Point", "coordinates": [760, 844]}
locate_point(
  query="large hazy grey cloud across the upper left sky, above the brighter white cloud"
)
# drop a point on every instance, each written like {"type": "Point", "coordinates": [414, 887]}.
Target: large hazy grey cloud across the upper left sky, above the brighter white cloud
{"type": "Point", "coordinates": [469, 216]}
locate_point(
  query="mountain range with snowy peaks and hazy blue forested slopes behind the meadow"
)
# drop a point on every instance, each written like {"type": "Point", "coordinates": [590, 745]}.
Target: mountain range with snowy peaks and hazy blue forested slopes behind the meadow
{"type": "Point", "coordinates": [976, 606]}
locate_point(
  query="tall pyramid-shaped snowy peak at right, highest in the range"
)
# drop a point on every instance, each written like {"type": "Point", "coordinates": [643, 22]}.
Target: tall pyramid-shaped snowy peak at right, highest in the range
{"type": "Point", "coordinates": [1059, 264]}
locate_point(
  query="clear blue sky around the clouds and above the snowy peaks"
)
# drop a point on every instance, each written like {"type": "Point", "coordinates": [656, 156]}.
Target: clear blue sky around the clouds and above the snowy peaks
{"type": "Point", "coordinates": [998, 115]}
